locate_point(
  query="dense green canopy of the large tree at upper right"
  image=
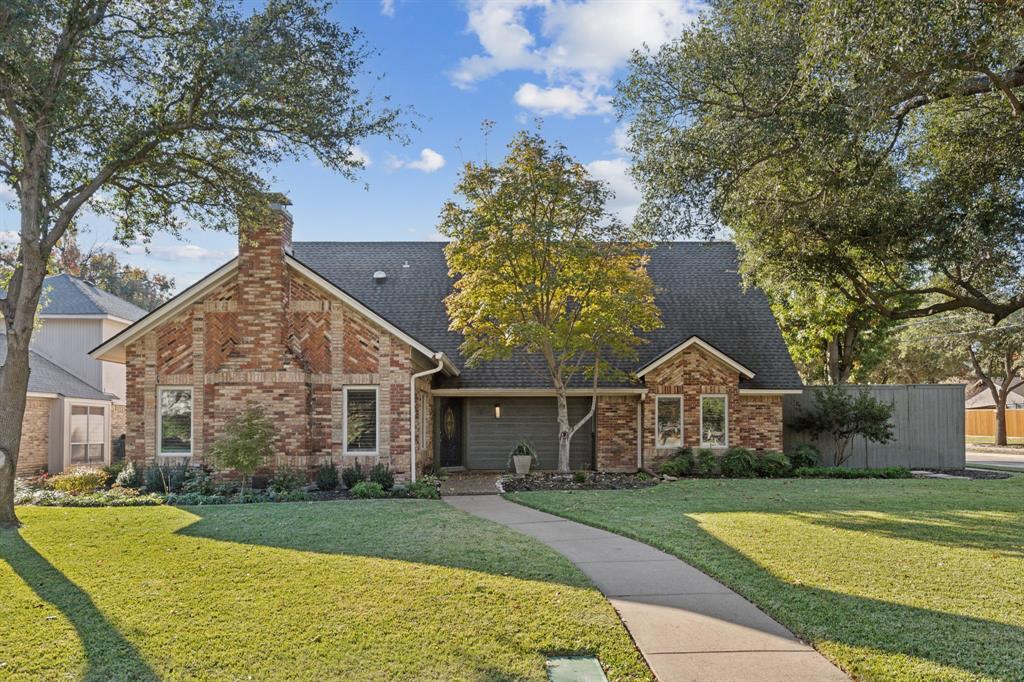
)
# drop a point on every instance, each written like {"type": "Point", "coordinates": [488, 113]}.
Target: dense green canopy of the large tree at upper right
{"type": "Point", "coordinates": [872, 149]}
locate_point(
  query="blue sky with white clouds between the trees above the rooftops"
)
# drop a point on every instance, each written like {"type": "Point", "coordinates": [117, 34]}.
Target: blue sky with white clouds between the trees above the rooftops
{"type": "Point", "coordinates": [456, 65]}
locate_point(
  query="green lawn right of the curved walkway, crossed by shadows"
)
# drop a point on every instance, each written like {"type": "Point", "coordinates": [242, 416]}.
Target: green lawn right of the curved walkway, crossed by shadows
{"type": "Point", "coordinates": [892, 580]}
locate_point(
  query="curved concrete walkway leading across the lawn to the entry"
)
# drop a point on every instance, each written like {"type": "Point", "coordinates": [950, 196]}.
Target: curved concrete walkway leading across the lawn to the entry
{"type": "Point", "coordinates": [688, 626]}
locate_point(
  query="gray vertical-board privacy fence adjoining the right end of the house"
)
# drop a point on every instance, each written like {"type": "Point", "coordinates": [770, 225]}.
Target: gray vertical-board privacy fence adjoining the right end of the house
{"type": "Point", "coordinates": [928, 428]}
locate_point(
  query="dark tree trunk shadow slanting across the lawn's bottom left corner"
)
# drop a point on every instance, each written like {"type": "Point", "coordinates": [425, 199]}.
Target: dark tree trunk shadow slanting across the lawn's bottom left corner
{"type": "Point", "coordinates": [109, 655]}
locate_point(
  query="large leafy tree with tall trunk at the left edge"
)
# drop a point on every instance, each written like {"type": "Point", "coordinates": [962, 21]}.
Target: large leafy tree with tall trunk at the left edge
{"type": "Point", "coordinates": [158, 114]}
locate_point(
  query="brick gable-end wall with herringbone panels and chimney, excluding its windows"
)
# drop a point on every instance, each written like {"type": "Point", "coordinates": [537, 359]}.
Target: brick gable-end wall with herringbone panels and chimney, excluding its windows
{"type": "Point", "coordinates": [270, 336]}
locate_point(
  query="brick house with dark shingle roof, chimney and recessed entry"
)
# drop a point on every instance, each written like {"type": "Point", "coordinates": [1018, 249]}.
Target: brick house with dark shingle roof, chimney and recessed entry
{"type": "Point", "coordinates": [348, 348]}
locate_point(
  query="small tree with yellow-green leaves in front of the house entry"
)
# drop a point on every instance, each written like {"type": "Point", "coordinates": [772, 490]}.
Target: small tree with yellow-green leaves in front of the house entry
{"type": "Point", "coordinates": [543, 269]}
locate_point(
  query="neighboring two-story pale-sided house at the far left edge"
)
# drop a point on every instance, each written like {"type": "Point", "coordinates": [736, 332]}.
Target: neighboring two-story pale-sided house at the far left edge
{"type": "Point", "coordinates": [75, 403]}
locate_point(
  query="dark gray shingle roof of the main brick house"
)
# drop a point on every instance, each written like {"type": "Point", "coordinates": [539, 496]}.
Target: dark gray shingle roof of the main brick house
{"type": "Point", "coordinates": [699, 293]}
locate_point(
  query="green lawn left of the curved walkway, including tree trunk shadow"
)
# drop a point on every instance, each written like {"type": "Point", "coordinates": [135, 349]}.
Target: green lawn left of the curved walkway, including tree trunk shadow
{"type": "Point", "coordinates": [353, 590]}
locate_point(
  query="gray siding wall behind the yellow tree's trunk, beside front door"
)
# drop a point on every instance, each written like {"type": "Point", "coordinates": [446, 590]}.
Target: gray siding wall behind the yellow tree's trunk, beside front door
{"type": "Point", "coordinates": [489, 441]}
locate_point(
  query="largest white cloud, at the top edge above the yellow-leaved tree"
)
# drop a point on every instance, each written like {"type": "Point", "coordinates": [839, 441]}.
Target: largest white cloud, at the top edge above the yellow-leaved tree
{"type": "Point", "coordinates": [578, 45]}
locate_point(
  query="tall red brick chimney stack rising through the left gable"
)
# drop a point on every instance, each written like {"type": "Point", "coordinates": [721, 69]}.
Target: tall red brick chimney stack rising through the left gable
{"type": "Point", "coordinates": [265, 239]}
